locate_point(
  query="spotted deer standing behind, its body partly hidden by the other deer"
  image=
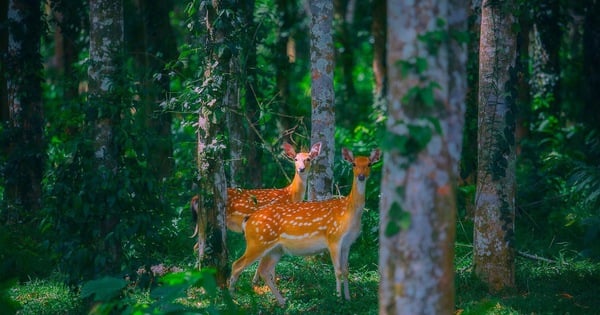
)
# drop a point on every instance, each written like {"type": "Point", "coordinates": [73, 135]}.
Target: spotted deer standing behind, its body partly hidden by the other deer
{"type": "Point", "coordinates": [242, 202]}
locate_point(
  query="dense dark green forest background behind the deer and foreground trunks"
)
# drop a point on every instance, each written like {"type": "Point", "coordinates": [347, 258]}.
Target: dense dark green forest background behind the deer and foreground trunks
{"type": "Point", "coordinates": [82, 202]}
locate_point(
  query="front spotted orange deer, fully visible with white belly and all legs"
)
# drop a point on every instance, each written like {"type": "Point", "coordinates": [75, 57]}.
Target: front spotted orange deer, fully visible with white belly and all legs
{"type": "Point", "coordinates": [307, 228]}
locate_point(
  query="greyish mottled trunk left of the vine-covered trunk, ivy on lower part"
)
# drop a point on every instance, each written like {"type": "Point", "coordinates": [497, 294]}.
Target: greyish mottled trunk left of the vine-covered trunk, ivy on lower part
{"type": "Point", "coordinates": [104, 74]}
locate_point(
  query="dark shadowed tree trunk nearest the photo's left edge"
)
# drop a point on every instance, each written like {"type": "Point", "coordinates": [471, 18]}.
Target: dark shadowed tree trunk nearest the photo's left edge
{"type": "Point", "coordinates": [23, 149]}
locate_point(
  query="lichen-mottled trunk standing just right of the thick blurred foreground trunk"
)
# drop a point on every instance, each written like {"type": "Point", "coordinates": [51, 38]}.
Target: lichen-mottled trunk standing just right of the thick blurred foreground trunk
{"type": "Point", "coordinates": [493, 244]}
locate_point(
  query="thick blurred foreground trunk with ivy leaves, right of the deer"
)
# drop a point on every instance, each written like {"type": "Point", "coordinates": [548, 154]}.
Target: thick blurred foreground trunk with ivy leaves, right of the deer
{"type": "Point", "coordinates": [427, 85]}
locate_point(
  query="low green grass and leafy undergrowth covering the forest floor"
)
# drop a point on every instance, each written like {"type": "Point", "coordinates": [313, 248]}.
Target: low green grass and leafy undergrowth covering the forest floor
{"type": "Point", "coordinates": [564, 283]}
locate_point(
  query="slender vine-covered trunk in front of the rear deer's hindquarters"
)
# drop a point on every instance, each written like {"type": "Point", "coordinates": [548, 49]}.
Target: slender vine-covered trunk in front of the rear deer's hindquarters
{"type": "Point", "coordinates": [213, 185]}
